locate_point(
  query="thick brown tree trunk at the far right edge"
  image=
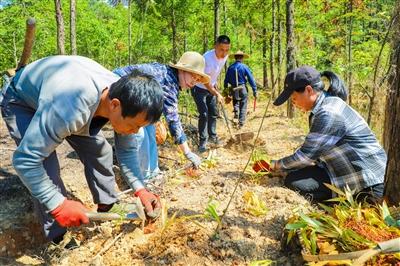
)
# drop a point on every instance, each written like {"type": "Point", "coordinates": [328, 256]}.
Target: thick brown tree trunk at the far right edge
{"type": "Point", "coordinates": [392, 119]}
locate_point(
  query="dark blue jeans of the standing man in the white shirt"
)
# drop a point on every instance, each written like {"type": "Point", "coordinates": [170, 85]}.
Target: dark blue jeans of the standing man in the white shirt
{"type": "Point", "coordinates": [207, 107]}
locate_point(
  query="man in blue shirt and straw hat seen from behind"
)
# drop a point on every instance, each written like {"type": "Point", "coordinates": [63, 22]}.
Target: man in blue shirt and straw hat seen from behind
{"type": "Point", "coordinates": [237, 75]}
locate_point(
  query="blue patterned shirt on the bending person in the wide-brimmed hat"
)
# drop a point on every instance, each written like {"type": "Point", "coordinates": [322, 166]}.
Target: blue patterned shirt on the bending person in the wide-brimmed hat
{"type": "Point", "coordinates": [167, 77]}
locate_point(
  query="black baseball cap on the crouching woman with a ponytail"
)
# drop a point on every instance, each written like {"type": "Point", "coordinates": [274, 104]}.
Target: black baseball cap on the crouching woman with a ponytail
{"type": "Point", "coordinates": [298, 78]}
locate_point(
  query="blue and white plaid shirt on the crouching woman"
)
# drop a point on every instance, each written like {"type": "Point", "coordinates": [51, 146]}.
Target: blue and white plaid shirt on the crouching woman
{"type": "Point", "coordinates": [340, 141]}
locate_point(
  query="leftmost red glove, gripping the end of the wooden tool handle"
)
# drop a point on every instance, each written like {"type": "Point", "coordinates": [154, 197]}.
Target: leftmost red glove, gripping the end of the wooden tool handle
{"type": "Point", "coordinates": [70, 213]}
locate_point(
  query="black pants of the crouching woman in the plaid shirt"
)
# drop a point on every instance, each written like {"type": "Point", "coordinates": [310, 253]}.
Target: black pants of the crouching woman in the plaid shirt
{"type": "Point", "coordinates": [309, 182]}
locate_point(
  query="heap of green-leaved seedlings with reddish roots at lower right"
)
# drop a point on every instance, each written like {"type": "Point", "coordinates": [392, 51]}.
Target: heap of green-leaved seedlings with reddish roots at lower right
{"type": "Point", "coordinates": [347, 226]}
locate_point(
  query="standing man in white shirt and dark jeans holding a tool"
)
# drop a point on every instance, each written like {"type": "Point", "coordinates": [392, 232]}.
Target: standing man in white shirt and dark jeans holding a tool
{"type": "Point", "coordinates": [207, 95]}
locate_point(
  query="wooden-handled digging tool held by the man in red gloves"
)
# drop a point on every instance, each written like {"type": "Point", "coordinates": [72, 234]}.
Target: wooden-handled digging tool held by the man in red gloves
{"type": "Point", "coordinates": [135, 212]}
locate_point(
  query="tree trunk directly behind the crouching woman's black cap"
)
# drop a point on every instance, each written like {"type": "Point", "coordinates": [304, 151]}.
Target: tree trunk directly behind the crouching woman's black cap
{"type": "Point", "coordinates": [290, 47]}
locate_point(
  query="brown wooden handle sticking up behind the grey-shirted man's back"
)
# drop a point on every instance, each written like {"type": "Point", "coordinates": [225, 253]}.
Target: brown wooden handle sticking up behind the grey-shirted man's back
{"type": "Point", "coordinates": [28, 44]}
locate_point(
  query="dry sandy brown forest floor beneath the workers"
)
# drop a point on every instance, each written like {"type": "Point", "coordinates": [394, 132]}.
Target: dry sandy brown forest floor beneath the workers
{"type": "Point", "coordinates": [177, 238]}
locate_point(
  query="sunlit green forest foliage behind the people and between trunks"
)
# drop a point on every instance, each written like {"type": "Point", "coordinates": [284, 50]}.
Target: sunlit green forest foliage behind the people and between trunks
{"type": "Point", "coordinates": [321, 31]}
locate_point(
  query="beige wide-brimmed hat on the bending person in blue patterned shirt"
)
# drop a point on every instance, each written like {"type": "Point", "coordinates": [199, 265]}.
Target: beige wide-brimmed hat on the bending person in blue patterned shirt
{"type": "Point", "coordinates": [192, 62]}
